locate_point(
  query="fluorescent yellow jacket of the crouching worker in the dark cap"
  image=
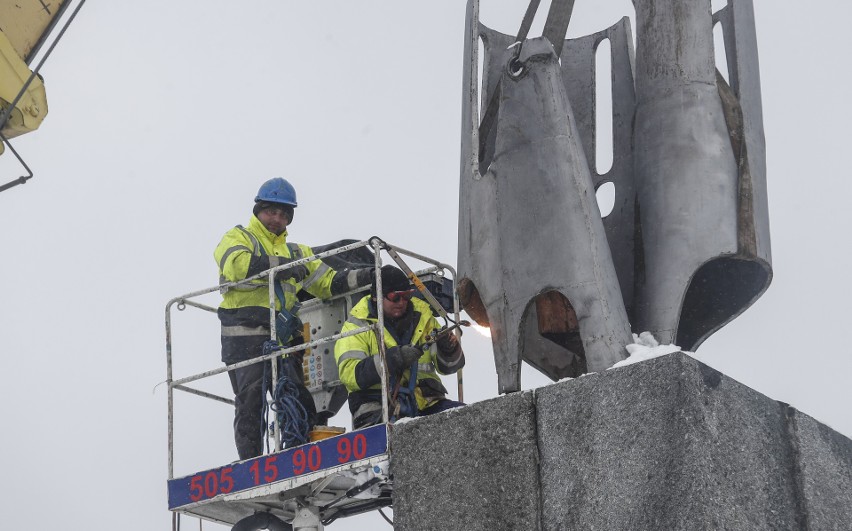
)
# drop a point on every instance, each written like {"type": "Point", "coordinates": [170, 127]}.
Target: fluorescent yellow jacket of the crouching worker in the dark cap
{"type": "Point", "coordinates": [349, 351]}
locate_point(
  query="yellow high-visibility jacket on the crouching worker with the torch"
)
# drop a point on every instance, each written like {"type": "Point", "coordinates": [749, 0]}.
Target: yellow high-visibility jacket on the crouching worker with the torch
{"type": "Point", "coordinates": [350, 351]}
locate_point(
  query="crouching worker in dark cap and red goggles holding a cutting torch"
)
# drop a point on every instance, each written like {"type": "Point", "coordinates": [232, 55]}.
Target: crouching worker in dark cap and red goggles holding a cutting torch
{"type": "Point", "coordinates": [415, 357]}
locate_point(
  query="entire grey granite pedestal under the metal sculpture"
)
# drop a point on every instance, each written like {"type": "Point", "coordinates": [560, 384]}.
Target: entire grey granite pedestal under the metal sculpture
{"type": "Point", "coordinates": [668, 443]}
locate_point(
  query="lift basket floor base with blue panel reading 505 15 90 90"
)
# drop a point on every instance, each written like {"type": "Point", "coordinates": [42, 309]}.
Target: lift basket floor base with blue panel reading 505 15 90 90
{"type": "Point", "coordinates": [334, 477]}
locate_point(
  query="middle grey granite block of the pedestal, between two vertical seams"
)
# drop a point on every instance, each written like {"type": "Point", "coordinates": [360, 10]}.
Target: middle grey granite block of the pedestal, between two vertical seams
{"type": "Point", "coordinates": [669, 443]}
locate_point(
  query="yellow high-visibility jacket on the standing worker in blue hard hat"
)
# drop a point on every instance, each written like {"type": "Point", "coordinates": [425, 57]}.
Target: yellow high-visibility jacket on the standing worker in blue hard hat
{"type": "Point", "coordinates": [244, 252]}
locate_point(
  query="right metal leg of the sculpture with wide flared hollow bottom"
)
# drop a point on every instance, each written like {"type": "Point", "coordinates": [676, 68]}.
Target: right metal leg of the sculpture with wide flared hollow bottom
{"type": "Point", "coordinates": [702, 244]}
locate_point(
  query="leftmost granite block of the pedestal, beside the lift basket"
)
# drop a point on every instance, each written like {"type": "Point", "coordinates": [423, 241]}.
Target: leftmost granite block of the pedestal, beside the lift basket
{"type": "Point", "coordinates": [473, 468]}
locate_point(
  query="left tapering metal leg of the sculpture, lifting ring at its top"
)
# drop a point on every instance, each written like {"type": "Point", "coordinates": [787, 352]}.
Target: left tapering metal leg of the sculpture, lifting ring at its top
{"type": "Point", "coordinates": [534, 262]}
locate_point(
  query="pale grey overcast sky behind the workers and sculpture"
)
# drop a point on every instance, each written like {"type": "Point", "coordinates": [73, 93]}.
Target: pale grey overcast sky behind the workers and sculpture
{"type": "Point", "coordinates": [165, 117]}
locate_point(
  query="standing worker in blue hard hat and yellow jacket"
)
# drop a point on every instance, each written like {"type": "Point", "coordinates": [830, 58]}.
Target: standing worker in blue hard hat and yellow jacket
{"type": "Point", "coordinates": [244, 311]}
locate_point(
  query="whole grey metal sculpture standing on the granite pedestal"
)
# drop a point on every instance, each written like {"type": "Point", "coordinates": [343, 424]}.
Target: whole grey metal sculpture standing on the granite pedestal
{"type": "Point", "coordinates": [686, 248]}
